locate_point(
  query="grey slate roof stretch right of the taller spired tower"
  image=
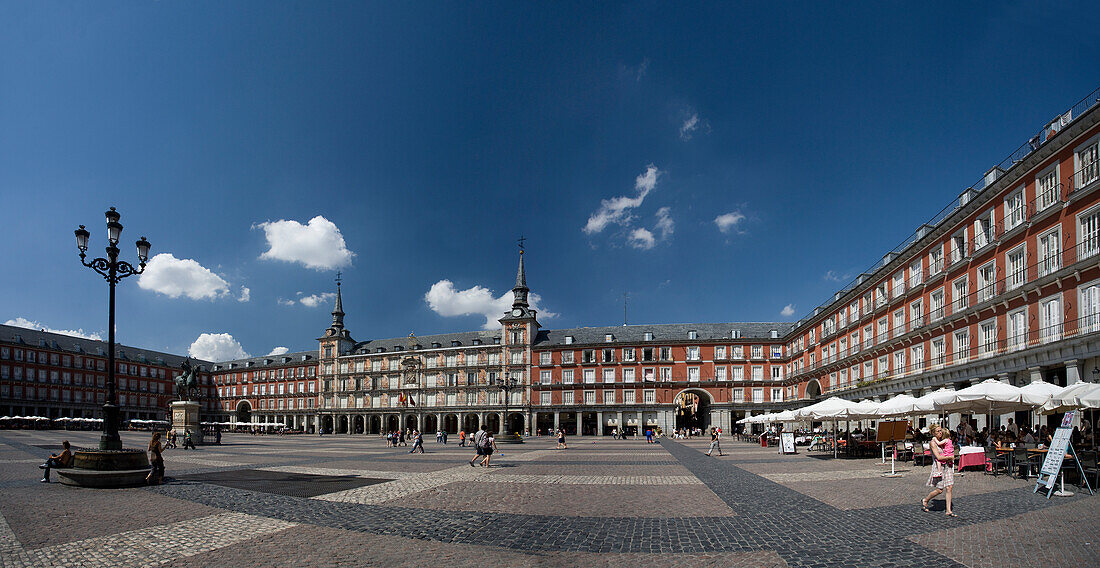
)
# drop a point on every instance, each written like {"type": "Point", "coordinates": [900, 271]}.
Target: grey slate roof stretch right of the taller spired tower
{"type": "Point", "coordinates": [663, 333]}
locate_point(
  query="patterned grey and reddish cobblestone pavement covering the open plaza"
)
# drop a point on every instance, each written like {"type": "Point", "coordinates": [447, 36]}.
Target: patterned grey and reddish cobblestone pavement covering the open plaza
{"type": "Point", "coordinates": [600, 504]}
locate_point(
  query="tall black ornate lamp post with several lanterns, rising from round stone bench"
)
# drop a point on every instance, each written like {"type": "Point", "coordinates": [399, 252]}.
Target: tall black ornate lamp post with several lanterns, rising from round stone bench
{"type": "Point", "coordinates": [114, 271]}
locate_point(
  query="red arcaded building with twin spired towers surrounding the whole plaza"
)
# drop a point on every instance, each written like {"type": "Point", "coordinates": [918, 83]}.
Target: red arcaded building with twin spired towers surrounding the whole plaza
{"type": "Point", "coordinates": [1004, 283]}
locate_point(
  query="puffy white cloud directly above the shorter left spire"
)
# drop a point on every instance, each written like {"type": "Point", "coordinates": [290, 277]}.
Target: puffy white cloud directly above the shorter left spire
{"type": "Point", "coordinates": [317, 245]}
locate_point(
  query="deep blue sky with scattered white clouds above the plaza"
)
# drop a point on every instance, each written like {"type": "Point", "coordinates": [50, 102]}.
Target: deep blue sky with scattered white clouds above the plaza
{"type": "Point", "coordinates": [717, 163]}
